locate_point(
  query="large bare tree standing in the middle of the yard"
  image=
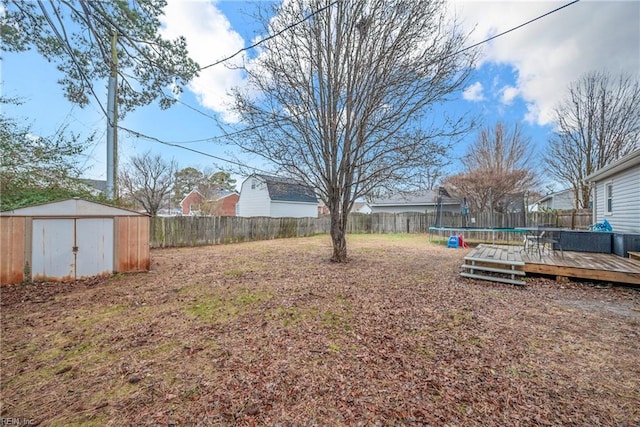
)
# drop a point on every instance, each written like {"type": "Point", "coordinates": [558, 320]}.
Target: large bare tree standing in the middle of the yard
{"type": "Point", "coordinates": [341, 100]}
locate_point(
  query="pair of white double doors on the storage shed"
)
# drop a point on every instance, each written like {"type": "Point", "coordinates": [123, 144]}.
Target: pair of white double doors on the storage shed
{"type": "Point", "coordinates": [67, 249]}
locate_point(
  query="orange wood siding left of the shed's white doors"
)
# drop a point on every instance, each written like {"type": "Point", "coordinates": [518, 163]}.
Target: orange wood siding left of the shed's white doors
{"type": "Point", "coordinates": [12, 238]}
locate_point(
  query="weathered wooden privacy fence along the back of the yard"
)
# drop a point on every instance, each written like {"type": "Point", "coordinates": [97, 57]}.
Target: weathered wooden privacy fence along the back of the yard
{"type": "Point", "coordinates": [198, 231]}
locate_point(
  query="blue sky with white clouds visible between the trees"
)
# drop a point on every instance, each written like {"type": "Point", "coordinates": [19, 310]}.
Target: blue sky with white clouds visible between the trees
{"type": "Point", "coordinates": [519, 79]}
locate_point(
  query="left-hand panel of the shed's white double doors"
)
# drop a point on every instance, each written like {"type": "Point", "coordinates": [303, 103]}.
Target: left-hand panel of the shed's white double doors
{"type": "Point", "coordinates": [52, 249]}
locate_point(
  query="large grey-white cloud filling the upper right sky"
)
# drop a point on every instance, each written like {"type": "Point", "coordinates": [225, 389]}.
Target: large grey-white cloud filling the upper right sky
{"type": "Point", "coordinates": [556, 50]}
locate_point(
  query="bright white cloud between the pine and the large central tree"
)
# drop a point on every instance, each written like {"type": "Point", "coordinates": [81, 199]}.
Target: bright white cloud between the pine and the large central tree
{"type": "Point", "coordinates": [209, 38]}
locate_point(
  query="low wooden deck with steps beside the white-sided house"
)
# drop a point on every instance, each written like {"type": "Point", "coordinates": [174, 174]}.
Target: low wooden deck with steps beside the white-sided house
{"type": "Point", "coordinates": [590, 266]}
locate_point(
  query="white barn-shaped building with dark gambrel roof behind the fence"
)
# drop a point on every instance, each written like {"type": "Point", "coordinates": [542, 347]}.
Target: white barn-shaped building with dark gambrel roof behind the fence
{"type": "Point", "coordinates": [264, 195]}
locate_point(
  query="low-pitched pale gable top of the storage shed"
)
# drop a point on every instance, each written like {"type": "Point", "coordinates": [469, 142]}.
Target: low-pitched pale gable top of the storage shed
{"type": "Point", "coordinates": [71, 207]}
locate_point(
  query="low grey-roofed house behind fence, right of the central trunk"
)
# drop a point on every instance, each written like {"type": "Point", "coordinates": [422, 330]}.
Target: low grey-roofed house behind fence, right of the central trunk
{"type": "Point", "coordinates": [423, 201]}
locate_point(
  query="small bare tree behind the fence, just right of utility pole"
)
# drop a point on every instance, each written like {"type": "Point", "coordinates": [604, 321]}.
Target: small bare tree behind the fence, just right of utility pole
{"type": "Point", "coordinates": [147, 180]}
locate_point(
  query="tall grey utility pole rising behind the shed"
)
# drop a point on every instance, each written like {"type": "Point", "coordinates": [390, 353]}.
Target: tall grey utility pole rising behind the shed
{"type": "Point", "coordinates": [112, 123]}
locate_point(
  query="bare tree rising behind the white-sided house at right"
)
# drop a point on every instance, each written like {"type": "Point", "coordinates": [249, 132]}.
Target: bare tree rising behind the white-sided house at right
{"type": "Point", "coordinates": [598, 123]}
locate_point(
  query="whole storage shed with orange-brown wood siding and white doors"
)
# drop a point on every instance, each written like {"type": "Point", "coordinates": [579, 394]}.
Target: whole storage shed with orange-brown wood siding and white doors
{"type": "Point", "coordinates": [71, 239]}
